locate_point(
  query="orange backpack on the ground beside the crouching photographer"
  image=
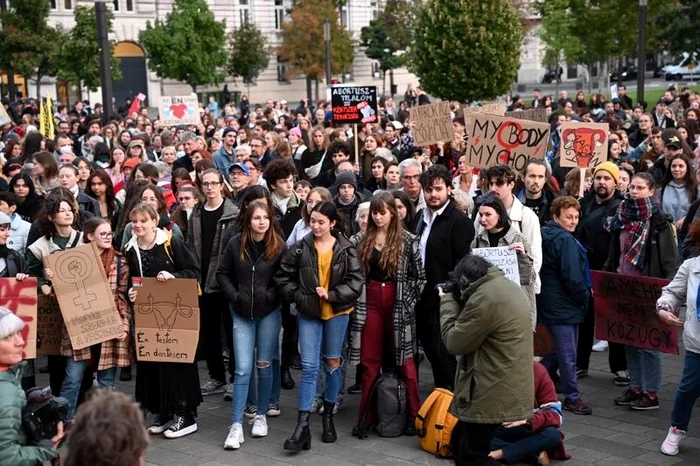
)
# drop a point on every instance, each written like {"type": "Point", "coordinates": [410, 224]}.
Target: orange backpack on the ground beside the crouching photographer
{"type": "Point", "coordinates": [434, 423]}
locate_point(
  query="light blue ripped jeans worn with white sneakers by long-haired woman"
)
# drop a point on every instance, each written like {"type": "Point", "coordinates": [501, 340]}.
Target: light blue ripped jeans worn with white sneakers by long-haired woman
{"type": "Point", "coordinates": [246, 334]}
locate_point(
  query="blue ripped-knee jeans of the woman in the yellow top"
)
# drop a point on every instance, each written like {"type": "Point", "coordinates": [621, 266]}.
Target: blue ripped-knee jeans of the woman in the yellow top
{"type": "Point", "coordinates": [325, 338]}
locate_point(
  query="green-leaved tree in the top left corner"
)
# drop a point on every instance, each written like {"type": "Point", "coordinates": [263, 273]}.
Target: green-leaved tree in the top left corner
{"type": "Point", "coordinates": [28, 45]}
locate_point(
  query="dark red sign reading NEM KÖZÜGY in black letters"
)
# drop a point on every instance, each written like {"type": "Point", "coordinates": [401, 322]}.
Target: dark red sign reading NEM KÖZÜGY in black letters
{"type": "Point", "coordinates": [625, 312]}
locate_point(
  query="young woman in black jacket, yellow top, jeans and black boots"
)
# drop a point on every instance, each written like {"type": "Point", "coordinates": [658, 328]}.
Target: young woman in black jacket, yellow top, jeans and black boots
{"type": "Point", "coordinates": [321, 275]}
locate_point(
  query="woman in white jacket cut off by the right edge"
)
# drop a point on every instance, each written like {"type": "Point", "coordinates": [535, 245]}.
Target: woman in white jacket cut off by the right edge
{"type": "Point", "coordinates": [684, 290]}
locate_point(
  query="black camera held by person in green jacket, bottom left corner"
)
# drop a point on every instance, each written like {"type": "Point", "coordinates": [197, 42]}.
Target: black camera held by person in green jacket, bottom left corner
{"type": "Point", "coordinates": [43, 412]}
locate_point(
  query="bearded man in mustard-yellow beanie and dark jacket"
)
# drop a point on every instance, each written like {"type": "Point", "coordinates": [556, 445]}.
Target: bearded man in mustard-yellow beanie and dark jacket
{"type": "Point", "coordinates": [597, 205]}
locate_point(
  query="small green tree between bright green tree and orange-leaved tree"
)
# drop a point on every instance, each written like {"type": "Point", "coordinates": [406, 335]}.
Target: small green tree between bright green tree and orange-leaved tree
{"type": "Point", "coordinates": [249, 53]}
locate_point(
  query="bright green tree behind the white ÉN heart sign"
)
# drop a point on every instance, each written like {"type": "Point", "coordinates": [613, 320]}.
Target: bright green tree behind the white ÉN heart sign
{"type": "Point", "coordinates": [188, 46]}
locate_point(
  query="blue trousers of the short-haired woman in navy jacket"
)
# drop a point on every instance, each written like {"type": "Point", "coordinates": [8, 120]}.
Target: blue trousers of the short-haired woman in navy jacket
{"type": "Point", "coordinates": [563, 356]}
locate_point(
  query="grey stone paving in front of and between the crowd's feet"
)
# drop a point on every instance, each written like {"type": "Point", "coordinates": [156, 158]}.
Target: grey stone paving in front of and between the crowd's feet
{"type": "Point", "coordinates": [611, 436]}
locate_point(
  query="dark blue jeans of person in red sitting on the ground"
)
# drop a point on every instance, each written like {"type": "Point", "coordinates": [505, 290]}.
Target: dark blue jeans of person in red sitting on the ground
{"type": "Point", "coordinates": [520, 445]}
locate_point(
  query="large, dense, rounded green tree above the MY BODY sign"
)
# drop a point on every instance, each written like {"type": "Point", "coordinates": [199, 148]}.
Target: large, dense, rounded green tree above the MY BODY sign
{"type": "Point", "coordinates": [466, 50]}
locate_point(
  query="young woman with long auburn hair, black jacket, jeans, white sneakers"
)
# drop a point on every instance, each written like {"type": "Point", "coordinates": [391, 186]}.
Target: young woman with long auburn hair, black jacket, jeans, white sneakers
{"type": "Point", "coordinates": [245, 274]}
